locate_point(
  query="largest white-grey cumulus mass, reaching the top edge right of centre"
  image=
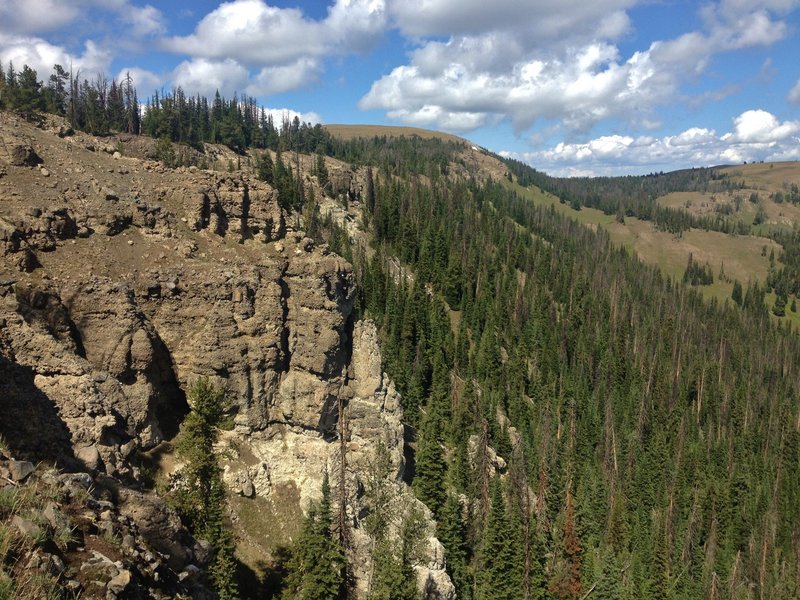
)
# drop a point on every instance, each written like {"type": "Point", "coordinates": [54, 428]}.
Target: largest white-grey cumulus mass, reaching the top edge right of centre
{"type": "Point", "coordinates": [560, 63]}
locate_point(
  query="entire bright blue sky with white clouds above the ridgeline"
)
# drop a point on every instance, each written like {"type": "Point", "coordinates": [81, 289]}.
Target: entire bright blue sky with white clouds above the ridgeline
{"type": "Point", "coordinates": [573, 87]}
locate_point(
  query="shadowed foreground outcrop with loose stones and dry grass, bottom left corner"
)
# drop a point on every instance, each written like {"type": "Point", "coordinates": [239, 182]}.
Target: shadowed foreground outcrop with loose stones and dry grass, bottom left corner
{"type": "Point", "coordinates": [68, 529]}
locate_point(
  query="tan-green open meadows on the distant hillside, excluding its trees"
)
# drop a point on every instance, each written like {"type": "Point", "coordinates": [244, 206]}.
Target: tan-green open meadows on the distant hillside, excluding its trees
{"type": "Point", "coordinates": [754, 188]}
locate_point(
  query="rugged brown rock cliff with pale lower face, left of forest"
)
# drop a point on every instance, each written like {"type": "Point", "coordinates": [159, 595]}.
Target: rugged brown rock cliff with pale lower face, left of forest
{"type": "Point", "coordinates": [122, 282]}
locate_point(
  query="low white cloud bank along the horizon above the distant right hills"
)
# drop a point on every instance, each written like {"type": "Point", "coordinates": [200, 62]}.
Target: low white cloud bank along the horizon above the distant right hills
{"type": "Point", "coordinates": [756, 135]}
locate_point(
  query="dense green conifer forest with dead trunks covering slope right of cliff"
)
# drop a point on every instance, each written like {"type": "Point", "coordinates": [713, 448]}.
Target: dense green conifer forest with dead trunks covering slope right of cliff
{"type": "Point", "coordinates": [651, 436]}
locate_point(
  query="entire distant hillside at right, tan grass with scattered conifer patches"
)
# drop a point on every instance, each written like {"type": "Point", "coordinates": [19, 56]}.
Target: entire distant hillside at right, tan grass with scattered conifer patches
{"type": "Point", "coordinates": [737, 222]}
